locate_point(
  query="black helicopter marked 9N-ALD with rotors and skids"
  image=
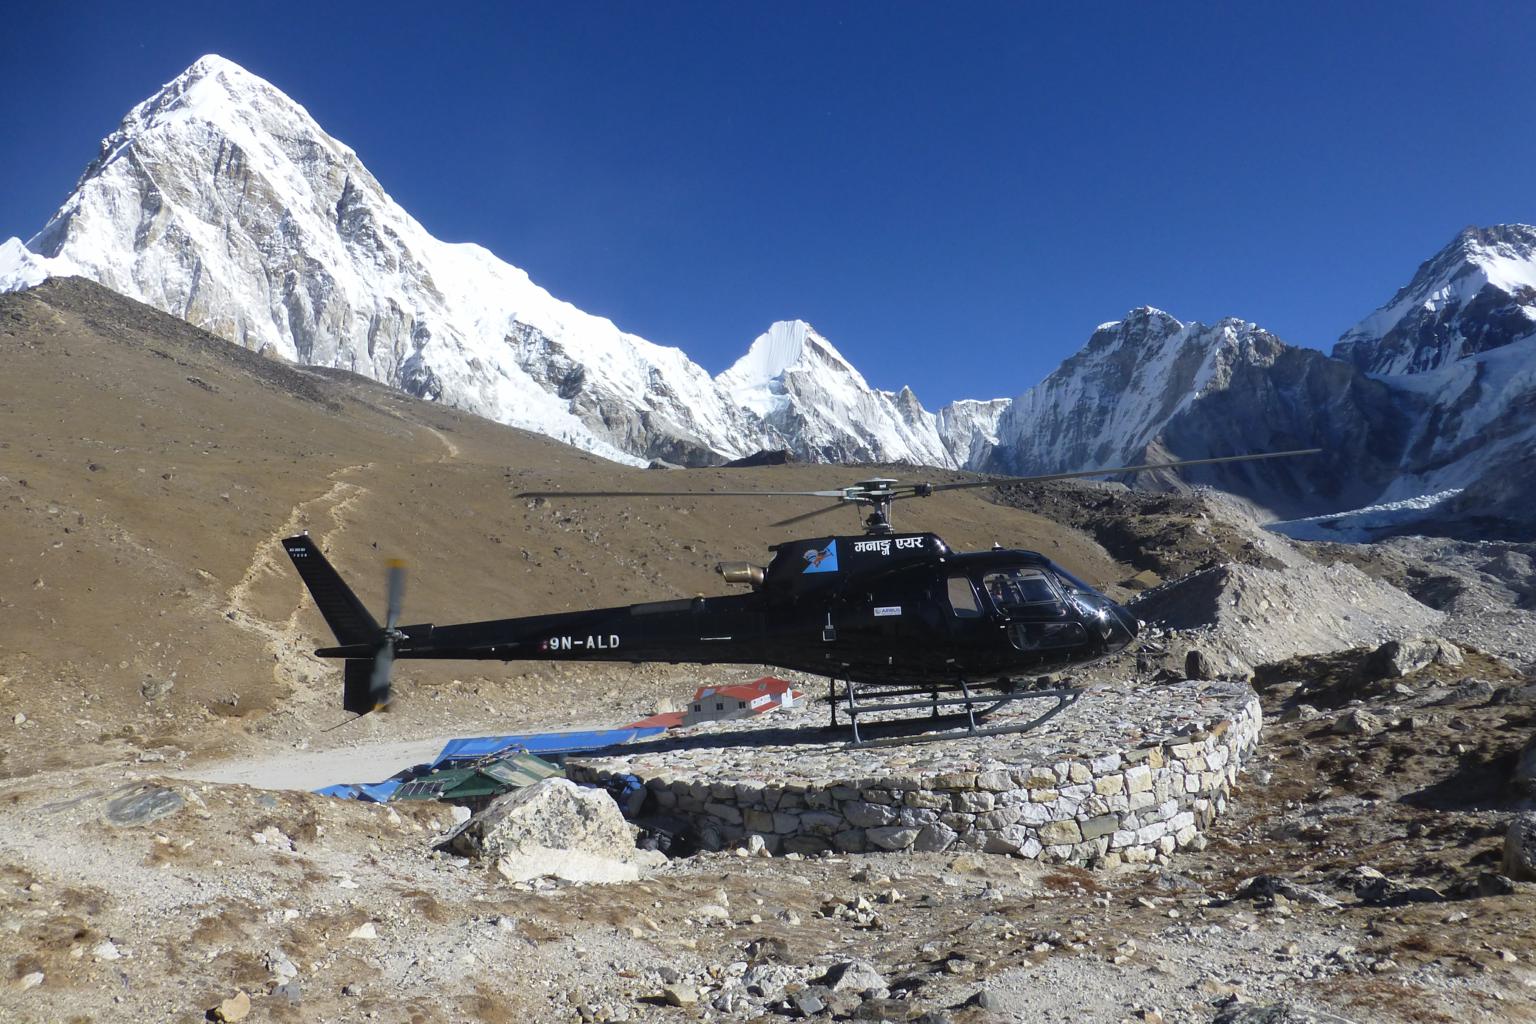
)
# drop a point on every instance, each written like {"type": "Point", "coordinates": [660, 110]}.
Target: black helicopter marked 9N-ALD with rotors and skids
{"type": "Point", "coordinates": [902, 621]}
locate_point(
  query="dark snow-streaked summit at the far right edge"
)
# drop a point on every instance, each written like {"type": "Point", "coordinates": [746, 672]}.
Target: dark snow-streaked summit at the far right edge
{"type": "Point", "coordinates": [1474, 296]}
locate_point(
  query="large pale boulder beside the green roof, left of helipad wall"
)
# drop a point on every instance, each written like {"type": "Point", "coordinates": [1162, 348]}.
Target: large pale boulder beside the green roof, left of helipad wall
{"type": "Point", "coordinates": [555, 830]}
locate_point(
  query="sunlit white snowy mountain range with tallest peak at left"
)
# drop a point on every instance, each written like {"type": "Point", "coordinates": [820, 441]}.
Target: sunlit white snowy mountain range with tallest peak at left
{"type": "Point", "coordinates": [220, 200]}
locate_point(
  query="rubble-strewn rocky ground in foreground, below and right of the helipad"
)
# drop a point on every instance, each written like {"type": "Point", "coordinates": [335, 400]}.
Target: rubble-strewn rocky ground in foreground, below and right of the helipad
{"type": "Point", "coordinates": [1359, 874]}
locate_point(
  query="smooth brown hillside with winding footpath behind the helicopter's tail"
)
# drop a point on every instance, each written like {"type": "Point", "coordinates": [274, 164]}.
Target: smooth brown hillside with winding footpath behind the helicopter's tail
{"type": "Point", "coordinates": [148, 471]}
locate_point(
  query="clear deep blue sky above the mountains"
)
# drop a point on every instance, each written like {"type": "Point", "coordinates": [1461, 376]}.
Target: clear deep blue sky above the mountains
{"type": "Point", "coordinates": [953, 194]}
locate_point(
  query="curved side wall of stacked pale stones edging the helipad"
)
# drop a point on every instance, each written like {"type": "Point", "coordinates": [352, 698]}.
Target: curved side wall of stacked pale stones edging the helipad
{"type": "Point", "coordinates": [1130, 807]}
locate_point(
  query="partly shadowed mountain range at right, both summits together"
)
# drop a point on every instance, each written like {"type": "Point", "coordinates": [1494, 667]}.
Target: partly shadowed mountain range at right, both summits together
{"type": "Point", "coordinates": [1432, 394]}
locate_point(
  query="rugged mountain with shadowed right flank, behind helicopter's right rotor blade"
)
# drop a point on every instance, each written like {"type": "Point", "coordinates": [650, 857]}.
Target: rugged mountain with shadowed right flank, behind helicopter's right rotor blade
{"type": "Point", "coordinates": [1151, 388]}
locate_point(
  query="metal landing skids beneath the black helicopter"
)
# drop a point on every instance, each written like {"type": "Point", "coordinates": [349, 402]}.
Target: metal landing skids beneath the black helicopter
{"type": "Point", "coordinates": [967, 710]}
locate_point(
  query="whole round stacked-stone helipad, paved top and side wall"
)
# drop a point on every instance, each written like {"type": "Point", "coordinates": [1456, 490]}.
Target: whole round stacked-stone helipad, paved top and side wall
{"type": "Point", "coordinates": [1122, 776]}
